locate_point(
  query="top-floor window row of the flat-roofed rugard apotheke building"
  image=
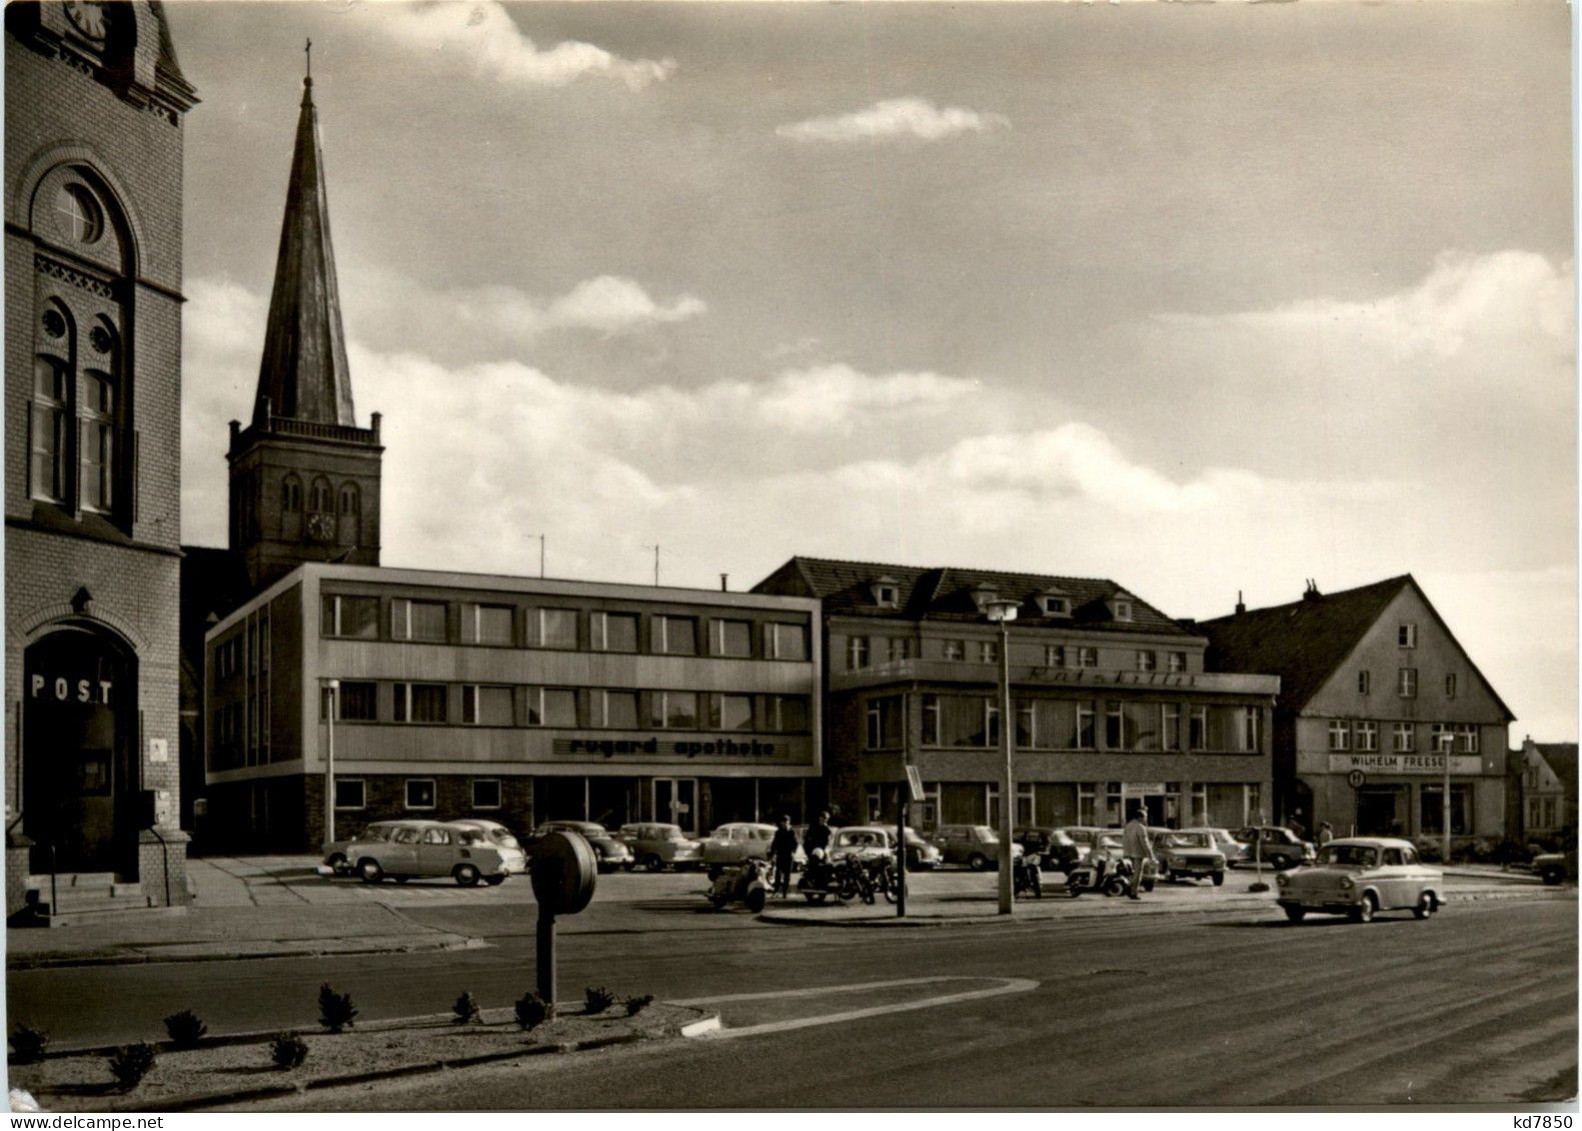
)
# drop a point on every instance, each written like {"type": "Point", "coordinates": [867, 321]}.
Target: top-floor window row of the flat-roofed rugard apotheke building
{"type": "Point", "coordinates": [562, 629]}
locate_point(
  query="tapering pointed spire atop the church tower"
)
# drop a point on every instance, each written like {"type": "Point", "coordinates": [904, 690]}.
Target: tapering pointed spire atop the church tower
{"type": "Point", "coordinates": [305, 373]}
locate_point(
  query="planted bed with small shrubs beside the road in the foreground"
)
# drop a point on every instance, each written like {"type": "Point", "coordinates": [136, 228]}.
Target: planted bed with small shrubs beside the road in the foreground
{"type": "Point", "coordinates": [227, 1069]}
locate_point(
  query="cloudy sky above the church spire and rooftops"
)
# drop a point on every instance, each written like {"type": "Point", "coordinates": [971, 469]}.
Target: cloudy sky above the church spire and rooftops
{"type": "Point", "coordinates": [1208, 300]}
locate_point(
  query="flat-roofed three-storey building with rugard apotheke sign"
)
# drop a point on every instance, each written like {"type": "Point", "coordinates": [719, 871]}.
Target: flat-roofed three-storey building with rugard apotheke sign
{"type": "Point", "coordinates": [510, 698]}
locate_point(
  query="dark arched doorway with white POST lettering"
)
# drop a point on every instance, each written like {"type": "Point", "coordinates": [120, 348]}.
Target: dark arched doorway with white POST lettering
{"type": "Point", "coordinates": [80, 752]}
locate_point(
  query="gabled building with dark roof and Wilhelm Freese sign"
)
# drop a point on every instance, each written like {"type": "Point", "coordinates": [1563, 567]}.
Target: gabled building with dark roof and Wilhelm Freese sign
{"type": "Point", "coordinates": [1374, 694]}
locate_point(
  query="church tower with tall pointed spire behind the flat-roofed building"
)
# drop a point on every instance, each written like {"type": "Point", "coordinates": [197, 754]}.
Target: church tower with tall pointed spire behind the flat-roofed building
{"type": "Point", "coordinates": [305, 477]}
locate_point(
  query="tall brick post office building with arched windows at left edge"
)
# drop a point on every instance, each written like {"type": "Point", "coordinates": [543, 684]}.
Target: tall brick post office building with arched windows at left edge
{"type": "Point", "coordinates": [96, 104]}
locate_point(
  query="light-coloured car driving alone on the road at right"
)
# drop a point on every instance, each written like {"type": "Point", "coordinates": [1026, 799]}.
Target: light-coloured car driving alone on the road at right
{"type": "Point", "coordinates": [1360, 877]}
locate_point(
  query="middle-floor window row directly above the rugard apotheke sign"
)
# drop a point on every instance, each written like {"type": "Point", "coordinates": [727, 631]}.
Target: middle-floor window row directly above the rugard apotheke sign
{"type": "Point", "coordinates": [498, 705]}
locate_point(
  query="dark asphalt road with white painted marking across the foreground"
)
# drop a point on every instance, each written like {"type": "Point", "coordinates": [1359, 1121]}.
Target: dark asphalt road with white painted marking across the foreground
{"type": "Point", "coordinates": [1477, 1007]}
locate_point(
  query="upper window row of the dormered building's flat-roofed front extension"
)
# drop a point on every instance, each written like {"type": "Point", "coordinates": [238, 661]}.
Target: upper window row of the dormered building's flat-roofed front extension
{"type": "Point", "coordinates": [958, 721]}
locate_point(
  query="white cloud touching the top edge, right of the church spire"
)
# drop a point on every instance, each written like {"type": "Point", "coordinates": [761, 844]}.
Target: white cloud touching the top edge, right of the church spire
{"type": "Point", "coordinates": [485, 39]}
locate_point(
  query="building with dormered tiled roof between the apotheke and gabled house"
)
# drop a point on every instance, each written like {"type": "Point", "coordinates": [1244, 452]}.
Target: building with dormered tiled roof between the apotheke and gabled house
{"type": "Point", "coordinates": [1113, 700]}
